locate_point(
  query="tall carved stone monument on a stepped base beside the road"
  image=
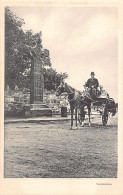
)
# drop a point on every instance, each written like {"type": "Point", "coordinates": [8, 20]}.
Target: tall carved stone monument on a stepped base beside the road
{"type": "Point", "coordinates": [37, 107]}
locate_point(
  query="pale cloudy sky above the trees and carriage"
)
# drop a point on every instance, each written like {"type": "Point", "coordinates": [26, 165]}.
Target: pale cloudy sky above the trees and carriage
{"type": "Point", "coordinates": [80, 40]}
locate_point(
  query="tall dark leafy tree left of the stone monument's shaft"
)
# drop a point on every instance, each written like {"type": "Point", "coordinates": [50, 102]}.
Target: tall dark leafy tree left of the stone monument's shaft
{"type": "Point", "coordinates": [17, 62]}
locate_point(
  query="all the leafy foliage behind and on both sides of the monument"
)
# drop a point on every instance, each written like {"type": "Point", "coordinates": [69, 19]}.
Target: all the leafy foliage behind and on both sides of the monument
{"type": "Point", "coordinates": [17, 60]}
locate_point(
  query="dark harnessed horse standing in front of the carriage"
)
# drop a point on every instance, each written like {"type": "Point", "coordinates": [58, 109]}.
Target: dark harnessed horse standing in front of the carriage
{"type": "Point", "coordinates": [77, 100]}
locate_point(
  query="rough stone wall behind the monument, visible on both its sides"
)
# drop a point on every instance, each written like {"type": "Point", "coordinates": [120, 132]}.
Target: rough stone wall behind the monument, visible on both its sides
{"type": "Point", "coordinates": [14, 101]}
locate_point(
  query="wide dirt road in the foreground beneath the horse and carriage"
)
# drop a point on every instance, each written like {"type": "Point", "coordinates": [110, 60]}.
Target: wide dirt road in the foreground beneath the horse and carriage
{"type": "Point", "coordinates": [51, 150]}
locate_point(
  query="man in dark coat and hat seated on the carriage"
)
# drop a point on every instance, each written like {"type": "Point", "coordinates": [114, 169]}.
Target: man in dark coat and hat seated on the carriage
{"type": "Point", "coordinates": [92, 85]}
